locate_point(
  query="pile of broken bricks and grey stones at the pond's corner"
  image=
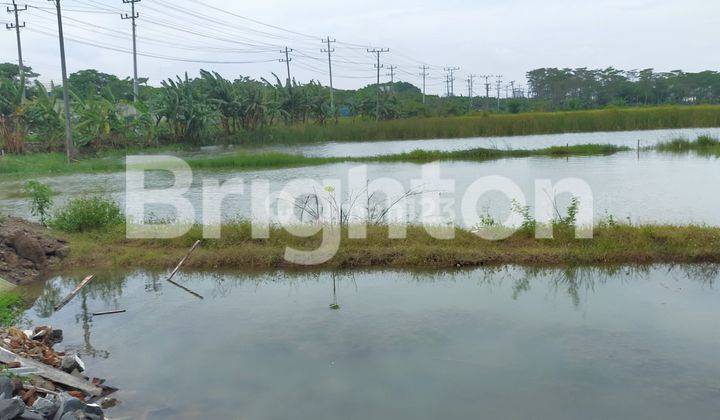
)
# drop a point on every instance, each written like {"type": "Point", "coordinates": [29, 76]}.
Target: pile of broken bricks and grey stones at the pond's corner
{"type": "Point", "coordinates": [26, 393]}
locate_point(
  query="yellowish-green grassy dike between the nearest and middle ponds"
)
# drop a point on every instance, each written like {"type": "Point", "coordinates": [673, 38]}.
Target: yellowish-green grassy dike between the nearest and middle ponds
{"type": "Point", "coordinates": [613, 244]}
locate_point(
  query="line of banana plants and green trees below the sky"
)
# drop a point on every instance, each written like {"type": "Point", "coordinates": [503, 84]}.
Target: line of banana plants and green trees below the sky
{"type": "Point", "coordinates": [194, 110]}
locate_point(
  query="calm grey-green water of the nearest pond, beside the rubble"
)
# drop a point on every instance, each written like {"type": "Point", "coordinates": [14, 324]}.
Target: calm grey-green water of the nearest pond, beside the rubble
{"type": "Point", "coordinates": [507, 343]}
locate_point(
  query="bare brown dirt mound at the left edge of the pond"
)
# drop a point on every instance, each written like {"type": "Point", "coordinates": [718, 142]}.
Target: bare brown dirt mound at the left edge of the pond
{"type": "Point", "coordinates": [26, 250]}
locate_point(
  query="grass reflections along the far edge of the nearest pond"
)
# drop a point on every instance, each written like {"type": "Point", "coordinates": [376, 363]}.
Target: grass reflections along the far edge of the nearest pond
{"type": "Point", "coordinates": [109, 287]}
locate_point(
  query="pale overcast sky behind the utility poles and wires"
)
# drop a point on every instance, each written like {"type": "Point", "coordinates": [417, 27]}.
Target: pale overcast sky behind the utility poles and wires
{"type": "Point", "coordinates": [481, 37]}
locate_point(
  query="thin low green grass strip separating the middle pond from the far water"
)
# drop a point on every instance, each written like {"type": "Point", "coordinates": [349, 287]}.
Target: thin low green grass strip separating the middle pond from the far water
{"type": "Point", "coordinates": [51, 164]}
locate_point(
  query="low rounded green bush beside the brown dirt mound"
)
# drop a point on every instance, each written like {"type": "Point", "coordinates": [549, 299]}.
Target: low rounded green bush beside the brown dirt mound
{"type": "Point", "coordinates": [86, 214]}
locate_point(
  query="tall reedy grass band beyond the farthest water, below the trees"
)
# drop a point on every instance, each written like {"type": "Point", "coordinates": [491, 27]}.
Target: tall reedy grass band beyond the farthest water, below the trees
{"type": "Point", "coordinates": [492, 125]}
